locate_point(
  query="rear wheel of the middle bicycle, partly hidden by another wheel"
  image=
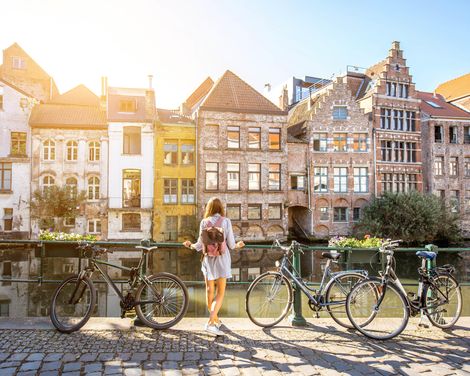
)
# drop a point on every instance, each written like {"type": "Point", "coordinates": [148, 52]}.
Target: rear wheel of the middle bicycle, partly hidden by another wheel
{"type": "Point", "coordinates": [336, 294]}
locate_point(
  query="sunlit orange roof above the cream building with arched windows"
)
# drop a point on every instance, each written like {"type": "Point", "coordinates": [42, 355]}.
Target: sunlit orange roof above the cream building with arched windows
{"type": "Point", "coordinates": [77, 108]}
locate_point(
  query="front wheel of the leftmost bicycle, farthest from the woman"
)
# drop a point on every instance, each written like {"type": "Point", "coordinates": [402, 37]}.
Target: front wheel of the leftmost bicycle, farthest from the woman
{"type": "Point", "coordinates": [72, 304]}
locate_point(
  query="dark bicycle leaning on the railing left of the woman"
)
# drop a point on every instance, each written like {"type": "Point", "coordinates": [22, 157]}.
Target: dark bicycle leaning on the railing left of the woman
{"type": "Point", "coordinates": [160, 300]}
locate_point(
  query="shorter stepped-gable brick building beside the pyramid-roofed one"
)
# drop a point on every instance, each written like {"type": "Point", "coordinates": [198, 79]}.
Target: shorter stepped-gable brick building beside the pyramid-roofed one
{"type": "Point", "coordinates": [339, 176]}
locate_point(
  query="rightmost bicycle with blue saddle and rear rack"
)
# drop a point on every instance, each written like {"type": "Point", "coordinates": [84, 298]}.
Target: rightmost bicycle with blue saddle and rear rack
{"type": "Point", "coordinates": [439, 298]}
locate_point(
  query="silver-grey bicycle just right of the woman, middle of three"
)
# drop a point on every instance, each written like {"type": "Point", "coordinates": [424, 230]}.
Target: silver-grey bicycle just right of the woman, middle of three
{"type": "Point", "coordinates": [270, 296]}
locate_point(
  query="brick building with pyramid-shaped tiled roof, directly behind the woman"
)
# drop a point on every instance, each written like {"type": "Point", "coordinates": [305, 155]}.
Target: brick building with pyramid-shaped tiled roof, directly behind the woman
{"type": "Point", "coordinates": [242, 157]}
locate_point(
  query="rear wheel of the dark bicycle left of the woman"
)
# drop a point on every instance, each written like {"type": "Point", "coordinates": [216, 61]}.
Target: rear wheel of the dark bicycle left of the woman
{"type": "Point", "coordinates": [163, 301]}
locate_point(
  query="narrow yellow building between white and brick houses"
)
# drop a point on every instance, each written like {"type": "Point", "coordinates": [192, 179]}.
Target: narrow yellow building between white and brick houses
{"type": "Point", "coordinates": [174, 216]}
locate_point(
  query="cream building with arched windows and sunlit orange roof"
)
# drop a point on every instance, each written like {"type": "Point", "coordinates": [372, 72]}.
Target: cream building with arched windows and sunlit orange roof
{"type": "Point", "coordinates": [70, 148]}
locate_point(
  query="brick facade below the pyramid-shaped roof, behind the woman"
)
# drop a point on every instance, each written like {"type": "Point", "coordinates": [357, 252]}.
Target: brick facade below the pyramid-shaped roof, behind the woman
{"type": "Point", "coordinates": [213, 147]}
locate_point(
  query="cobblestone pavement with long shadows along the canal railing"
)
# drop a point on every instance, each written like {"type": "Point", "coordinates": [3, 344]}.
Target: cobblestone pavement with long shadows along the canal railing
{"type": "Point", "coordinates": [319, 349]}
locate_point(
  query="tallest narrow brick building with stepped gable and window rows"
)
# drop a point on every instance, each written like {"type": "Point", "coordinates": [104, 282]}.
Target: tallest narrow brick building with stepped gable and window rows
{"type": "Point", "coordinates": [387, 93]}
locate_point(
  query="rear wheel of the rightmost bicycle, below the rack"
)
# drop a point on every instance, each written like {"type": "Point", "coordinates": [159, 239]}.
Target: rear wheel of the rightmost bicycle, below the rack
{"type": "Point", "coordinates": [443, 301]}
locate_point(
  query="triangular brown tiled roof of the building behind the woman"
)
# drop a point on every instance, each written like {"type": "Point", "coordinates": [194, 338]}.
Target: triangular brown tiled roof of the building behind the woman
{"type": "Point", "coordinates": [232, 94]}
